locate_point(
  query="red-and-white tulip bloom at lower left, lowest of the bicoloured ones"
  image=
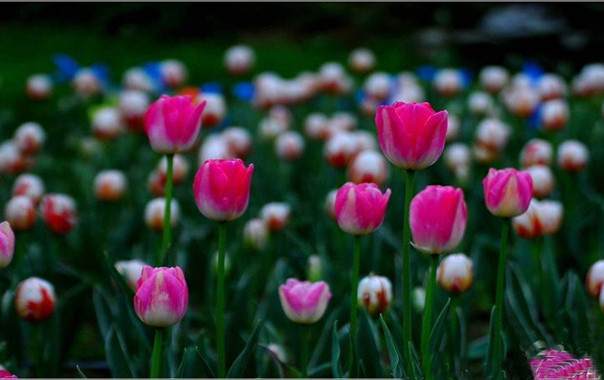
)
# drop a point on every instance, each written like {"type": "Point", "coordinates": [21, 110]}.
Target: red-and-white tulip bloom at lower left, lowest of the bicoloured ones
{"type": "Point", "coordinates": [35, 299]}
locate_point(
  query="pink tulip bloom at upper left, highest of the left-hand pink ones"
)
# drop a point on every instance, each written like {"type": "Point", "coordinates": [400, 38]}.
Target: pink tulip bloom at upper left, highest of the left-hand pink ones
{"type": "Point", "coordinates": [173, 123]}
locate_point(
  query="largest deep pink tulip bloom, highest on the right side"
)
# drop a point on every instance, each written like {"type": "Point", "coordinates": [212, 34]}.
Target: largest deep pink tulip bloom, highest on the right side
{"type": "Point", "coordinates": [411, 135]}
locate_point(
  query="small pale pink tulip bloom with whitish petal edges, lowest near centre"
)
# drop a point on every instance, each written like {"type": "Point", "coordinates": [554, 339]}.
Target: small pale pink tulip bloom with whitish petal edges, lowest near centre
{"type": "Point", "coordinates": [303, 301]}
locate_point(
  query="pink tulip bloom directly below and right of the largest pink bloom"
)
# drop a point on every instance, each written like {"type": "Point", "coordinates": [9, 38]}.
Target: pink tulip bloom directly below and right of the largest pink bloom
{"type": "Point", "coordinates": [437, 219]}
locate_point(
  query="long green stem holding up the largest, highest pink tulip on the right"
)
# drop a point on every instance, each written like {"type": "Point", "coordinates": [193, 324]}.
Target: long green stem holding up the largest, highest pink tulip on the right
{"type": "Point", "coordinates": [409, 177]}
